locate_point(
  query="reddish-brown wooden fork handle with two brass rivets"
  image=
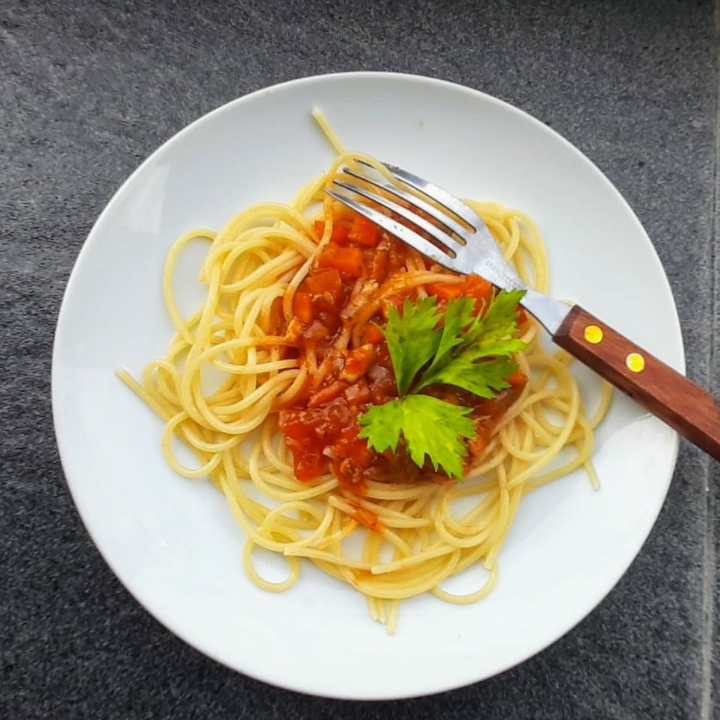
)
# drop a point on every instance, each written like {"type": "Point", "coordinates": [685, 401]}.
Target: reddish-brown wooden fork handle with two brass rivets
{"type": "Point", "coordinates": [682, 404]}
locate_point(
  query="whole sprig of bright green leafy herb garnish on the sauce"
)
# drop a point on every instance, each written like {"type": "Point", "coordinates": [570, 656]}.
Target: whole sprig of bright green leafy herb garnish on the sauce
{"type": "Point", "coordinates": [472, 352]}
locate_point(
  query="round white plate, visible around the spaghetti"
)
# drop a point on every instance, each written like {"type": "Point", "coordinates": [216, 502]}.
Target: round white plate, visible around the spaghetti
{"type": "Point", "coordinates": [173, 542]}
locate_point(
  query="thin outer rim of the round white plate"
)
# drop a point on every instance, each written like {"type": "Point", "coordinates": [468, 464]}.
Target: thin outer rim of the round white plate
{"type": "Point", "coordinates": [124, 188]}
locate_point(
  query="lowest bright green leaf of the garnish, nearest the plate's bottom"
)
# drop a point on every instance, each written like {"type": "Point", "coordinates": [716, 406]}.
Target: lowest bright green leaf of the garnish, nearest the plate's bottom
{"type": "Point", "coordinates": [428, 425]}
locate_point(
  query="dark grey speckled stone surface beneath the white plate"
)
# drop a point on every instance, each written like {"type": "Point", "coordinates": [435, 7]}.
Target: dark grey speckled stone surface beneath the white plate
{"type": "Point", "coordinates": [87, 90]}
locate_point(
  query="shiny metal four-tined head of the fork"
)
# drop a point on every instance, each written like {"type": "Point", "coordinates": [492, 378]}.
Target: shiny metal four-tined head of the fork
{"type": "Point", "coordinates": [425, 217]}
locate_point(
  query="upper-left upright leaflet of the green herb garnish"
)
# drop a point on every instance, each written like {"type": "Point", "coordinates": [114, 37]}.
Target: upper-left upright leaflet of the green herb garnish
{"type": "Point", "coordinates": [419, 321]}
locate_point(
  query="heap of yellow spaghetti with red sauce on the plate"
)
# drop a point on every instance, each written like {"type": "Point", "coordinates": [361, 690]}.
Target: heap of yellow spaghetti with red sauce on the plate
{"type": "Point", "coordinates": [390, 533]}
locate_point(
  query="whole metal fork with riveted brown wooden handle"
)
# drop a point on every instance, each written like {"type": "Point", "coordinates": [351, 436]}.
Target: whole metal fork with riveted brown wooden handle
{"type": "Point", "coordinates": [462, 242]}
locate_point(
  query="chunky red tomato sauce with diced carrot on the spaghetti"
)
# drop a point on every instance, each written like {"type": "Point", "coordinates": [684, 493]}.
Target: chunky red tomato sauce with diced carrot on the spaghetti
{"type": "Point", "coordinates": [321, 425]}
